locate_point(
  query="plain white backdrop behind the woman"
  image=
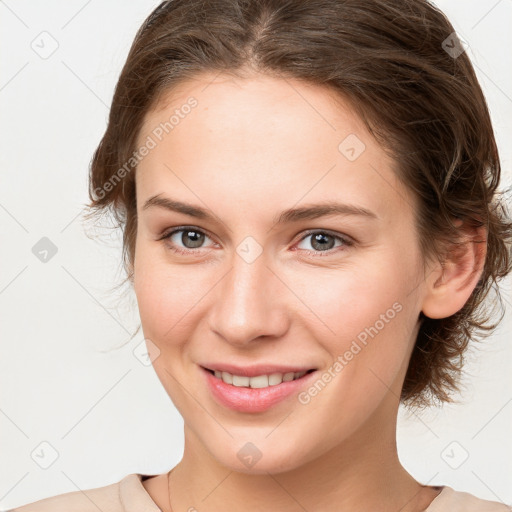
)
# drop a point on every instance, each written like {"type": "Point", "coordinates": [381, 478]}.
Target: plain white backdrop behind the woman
{"type": "Point", "coordinates": [76, 413]}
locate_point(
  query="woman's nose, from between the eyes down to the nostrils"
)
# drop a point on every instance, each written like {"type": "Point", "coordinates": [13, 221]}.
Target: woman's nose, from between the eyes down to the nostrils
{"type": "Point", "coordinates": [249, 303]}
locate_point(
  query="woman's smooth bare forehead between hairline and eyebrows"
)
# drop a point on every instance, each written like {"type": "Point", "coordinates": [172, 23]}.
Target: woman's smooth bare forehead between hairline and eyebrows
{"type": "Point", "coordinates": [253, 139]}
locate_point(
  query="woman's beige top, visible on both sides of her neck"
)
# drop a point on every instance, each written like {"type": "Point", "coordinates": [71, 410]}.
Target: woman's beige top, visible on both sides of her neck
{"type": "Point", "coordinates": [129, 495]}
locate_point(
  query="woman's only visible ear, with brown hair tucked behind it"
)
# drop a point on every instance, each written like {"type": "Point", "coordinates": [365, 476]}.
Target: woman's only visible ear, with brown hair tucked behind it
{"type": "Point", "coordinates": [451, 282]}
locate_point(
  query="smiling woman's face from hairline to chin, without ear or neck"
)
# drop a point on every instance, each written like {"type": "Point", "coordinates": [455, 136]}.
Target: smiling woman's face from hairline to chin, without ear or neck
{"type": "Point", "coordinates": [249, 282]}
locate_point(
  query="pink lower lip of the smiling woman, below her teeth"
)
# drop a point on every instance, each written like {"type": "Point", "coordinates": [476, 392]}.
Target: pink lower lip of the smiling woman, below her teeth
{"type": "Point", "coordinates": [244, 399]}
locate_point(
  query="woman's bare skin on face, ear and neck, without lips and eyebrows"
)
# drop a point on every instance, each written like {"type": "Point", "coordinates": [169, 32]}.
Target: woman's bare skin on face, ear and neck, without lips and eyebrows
{"type": "Point", "coordinates": [252, 148]}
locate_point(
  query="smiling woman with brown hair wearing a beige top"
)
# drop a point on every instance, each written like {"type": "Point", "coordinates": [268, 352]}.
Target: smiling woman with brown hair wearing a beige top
{"type": "Point", "coordinates": [308, 195]}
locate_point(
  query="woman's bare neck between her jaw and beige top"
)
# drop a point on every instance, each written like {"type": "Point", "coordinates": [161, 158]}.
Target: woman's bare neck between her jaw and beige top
{"type": "Point", "coordinates": [361, 473]}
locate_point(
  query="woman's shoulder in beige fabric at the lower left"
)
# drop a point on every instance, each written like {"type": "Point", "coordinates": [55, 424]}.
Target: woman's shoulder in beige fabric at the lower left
{"type": "Point", "coordinates": [110, 498]}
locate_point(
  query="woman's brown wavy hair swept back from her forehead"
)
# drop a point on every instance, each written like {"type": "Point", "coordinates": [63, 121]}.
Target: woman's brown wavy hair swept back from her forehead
{"type": "Point", "coordinates": [390, 60]}
